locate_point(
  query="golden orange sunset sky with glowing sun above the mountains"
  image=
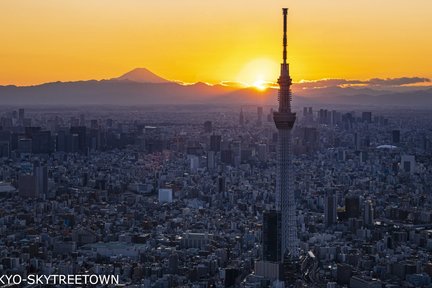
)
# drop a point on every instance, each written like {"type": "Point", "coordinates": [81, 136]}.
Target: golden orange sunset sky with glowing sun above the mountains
{"type": "Point", "coordinates": [213, 41]}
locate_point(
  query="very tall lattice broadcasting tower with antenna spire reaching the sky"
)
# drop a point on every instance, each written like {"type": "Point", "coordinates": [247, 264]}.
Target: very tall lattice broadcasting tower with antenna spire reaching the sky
{"type": "Point", "coordinates": [284, 120]}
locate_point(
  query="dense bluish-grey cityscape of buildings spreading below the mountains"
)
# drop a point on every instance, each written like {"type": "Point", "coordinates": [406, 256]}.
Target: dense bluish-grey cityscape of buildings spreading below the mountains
{"type": "Point", "coordinates": [179, 196]}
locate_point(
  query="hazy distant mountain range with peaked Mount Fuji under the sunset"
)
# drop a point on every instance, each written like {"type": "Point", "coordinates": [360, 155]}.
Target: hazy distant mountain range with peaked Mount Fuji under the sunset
{"type": "Point", "coordinates": [142, 87]}
